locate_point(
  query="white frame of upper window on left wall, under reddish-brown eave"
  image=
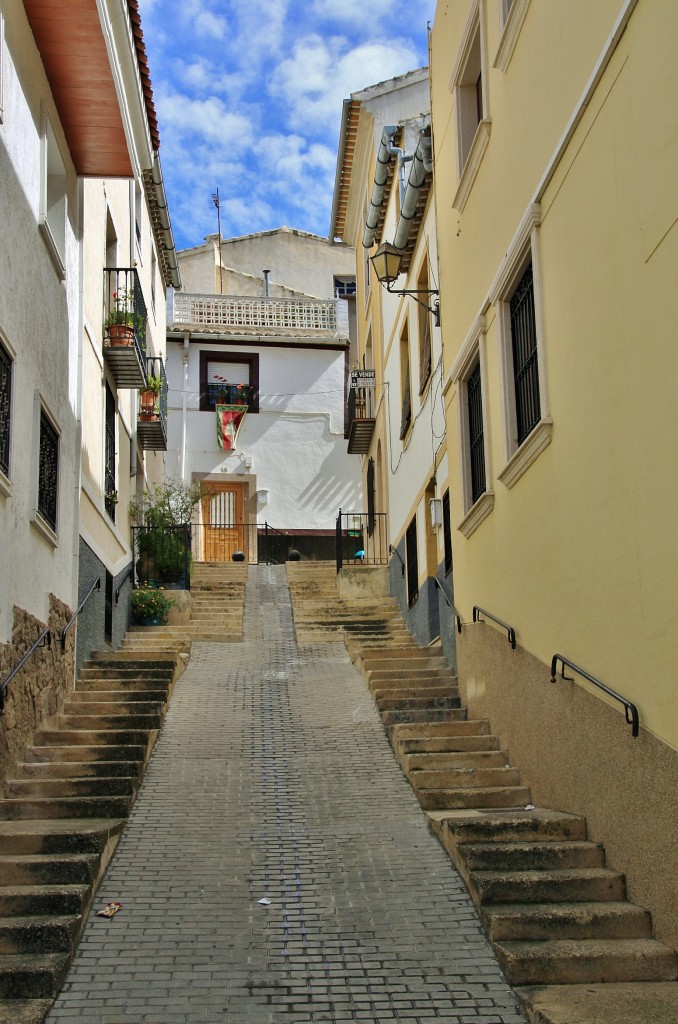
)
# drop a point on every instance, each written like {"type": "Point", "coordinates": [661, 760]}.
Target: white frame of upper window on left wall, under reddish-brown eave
{"type": "Point", "coordinates": [54, 196]}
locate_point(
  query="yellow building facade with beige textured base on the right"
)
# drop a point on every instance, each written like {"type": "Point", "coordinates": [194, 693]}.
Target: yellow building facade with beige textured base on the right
{"type": "Point", "coordinates": [556, 148]}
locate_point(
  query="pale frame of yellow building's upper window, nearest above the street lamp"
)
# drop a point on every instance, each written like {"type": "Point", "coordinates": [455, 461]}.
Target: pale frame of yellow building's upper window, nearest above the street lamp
{"type": "Point", "coordinates": [470, 156]}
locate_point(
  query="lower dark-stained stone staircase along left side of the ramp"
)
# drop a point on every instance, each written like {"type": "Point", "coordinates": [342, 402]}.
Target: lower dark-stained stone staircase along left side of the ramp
{"type": "Point", "coordinates": [62, 815]}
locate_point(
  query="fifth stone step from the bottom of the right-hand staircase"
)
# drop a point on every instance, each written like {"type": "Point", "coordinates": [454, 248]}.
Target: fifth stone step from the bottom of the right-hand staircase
{"type": "Point", "coordinates": [533, 857]}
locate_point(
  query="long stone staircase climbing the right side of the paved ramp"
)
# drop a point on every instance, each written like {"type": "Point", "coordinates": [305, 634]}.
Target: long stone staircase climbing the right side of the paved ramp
{"type": "Point", "coordinates": [569, 941]}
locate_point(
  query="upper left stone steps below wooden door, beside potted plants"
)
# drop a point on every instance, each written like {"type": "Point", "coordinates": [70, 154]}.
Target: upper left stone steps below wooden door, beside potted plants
{"type": "Point", "coordinates": [218, 601]}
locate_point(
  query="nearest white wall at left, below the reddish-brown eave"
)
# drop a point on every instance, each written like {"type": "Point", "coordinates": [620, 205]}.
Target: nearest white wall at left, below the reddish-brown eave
{"type": "Point", "coordinates": [39, 323]}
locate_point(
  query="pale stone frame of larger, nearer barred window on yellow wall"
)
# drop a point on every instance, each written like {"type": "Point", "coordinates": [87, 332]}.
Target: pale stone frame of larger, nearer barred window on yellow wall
{"type": "Point", "coordinates": [524, 249]}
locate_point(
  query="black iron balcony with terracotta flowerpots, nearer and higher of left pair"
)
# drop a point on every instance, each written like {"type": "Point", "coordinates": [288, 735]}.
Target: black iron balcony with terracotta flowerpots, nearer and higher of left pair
{"type": "Point", "coordinates": [125, 339]}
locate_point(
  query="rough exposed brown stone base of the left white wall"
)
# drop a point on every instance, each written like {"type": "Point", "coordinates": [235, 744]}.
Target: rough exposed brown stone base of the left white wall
{"type": "Point", "coordinates": [39, 691]}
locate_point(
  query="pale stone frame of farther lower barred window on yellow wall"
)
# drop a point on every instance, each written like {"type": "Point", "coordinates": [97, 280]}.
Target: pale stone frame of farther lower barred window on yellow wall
{"type": "Point", "coordinates": [473, 352]}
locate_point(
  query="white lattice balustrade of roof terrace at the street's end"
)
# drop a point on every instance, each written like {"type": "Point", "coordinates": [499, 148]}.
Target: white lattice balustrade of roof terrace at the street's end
{"type": "Point", "coordinates": [242, 314]}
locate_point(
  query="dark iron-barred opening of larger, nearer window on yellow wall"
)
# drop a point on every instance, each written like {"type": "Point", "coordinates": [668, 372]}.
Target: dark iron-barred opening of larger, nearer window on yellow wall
{"type": "Point", "coordinates": [526, 368]}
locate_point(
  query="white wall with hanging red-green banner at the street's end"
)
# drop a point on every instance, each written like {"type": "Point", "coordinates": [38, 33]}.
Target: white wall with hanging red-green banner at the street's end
{"type": "Point", "coordinates": [295, 442]}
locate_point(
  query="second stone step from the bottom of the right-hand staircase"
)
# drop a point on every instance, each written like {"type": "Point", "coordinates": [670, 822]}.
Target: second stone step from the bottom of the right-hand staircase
{"type": "Point", "coordinates": [588, 961]}
